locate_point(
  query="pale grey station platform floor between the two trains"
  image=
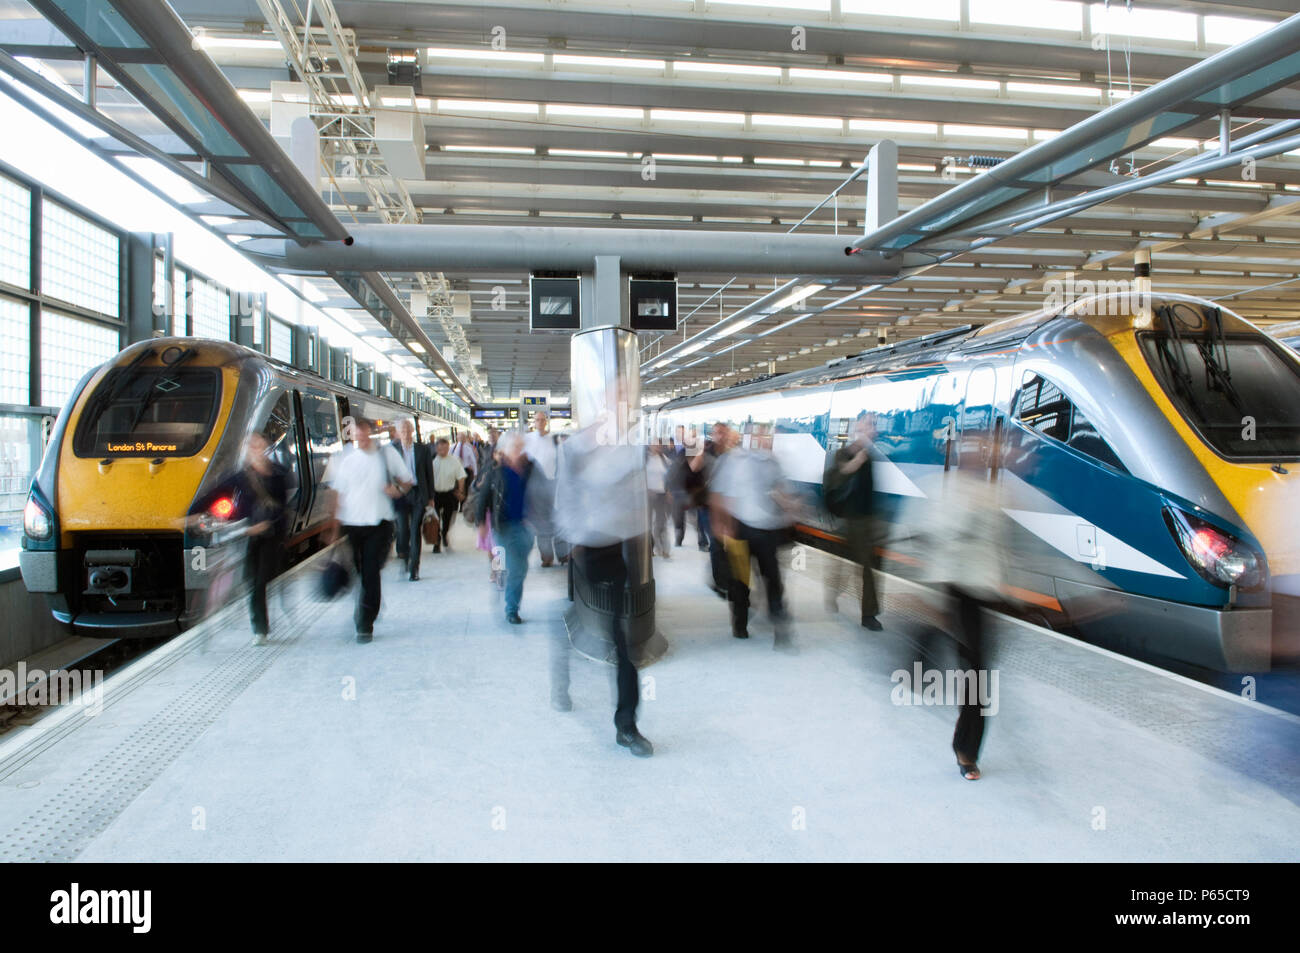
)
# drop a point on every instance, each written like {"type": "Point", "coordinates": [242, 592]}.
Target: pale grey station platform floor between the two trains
{"type": "Point", "coordinates": [437, 743]}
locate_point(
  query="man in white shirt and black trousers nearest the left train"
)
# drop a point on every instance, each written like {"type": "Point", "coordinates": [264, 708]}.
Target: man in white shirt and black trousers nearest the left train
{"type": "Point", "coordinates": [366, 479]}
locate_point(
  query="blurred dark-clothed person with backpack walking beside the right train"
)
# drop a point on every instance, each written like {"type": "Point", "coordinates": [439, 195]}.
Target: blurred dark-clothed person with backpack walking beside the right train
{"type": "Point", "coordinates": [850, 493]}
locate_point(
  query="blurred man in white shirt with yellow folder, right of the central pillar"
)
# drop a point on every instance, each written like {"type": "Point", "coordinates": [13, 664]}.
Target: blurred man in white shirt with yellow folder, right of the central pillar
{"type": "Point", "coordinates": [752, 505]}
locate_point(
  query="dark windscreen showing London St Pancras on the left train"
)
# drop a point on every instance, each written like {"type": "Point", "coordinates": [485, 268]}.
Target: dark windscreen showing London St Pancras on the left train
{"type": "Point", "coordinates": [141, 411]}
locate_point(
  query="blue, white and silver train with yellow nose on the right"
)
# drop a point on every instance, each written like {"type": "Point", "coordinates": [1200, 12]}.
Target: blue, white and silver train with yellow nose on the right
{"type": "Point", "coordinates": [1147, 463]}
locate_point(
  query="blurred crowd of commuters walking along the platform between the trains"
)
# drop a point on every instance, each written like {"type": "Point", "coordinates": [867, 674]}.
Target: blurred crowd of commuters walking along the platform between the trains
{"type": "Point", "coordinates": [584, 500]}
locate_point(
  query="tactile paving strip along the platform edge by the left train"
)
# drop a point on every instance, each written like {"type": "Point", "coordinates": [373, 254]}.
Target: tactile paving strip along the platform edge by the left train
{"type": "Point", "coordinates": [71, 820]}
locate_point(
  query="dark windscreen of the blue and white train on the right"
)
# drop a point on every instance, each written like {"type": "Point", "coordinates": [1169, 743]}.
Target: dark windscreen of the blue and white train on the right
{"type": "Point", "coordinates": [1240, 392]}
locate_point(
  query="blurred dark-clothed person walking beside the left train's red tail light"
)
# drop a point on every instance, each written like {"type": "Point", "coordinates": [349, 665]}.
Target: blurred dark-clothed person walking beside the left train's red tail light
{"type": "Point", "coordinates": [258, 495]}
